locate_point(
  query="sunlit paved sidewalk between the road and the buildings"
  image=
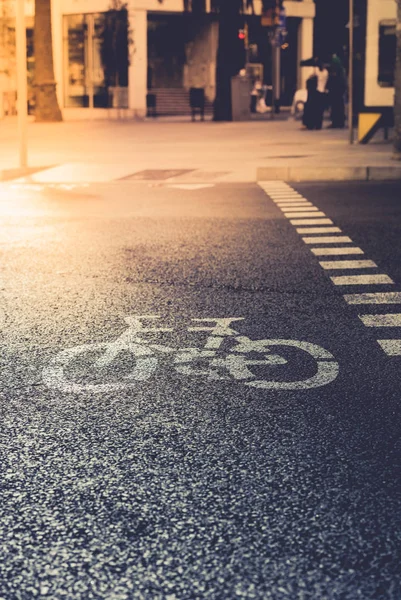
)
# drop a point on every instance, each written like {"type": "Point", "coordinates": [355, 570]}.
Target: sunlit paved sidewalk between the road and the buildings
{"type": "Point", "coordinates": [182, 151]}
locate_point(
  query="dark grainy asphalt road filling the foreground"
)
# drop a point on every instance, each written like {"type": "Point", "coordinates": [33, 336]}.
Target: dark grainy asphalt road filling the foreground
{"type": "Point", "coordinates": [134, 469]}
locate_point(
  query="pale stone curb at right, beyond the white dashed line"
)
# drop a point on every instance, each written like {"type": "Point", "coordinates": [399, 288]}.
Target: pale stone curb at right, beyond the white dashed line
{"type": "Point", "coordinates": [328, 173]}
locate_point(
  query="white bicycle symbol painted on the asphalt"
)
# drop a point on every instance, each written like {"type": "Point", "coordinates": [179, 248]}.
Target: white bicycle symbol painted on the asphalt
{"type": "Point", "coordinates": [213, 361]}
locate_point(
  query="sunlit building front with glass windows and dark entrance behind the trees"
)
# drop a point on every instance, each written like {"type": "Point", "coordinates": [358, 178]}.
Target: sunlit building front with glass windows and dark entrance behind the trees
{"type": "Point", "coordinates": [171, 52]}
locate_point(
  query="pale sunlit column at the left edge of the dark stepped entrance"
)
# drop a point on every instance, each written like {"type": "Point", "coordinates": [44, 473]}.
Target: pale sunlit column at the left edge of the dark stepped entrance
{"type": "Point", "coordinates": [138, 69]}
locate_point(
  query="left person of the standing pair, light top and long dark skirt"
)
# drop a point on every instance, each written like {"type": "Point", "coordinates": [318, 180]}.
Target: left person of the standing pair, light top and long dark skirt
{"type": "Point", "coordinates": [315, 104]}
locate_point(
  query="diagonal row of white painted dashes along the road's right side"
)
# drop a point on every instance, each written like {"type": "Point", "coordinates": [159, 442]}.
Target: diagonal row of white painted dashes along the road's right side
{"type": "Point", "coordinates": [281, 192]}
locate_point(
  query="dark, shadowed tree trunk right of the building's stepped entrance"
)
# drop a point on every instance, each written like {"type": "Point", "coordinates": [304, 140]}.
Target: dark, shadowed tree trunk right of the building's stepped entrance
{"type": "Point", "coordinates": [227, 59]}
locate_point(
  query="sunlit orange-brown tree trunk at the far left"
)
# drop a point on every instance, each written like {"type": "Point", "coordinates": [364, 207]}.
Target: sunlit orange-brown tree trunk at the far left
{"type": "Point", "coordinates": [46, 104]}
